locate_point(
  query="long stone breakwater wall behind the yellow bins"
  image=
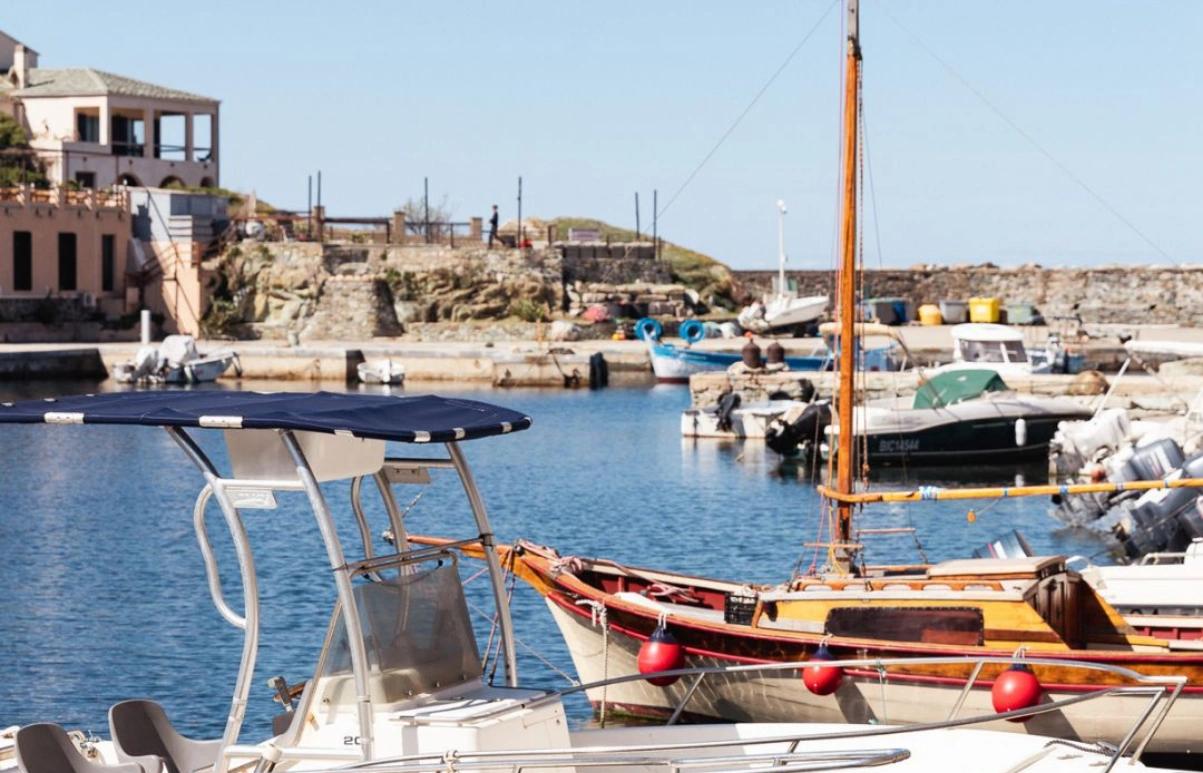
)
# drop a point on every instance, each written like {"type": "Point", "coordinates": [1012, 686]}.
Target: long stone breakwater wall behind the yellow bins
{"type": "Point", "coordinates": [1127, 295]}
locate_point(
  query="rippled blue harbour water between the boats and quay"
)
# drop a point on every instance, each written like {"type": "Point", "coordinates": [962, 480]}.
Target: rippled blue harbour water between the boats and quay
{"type": "Point", "coordinates": [104, 598]}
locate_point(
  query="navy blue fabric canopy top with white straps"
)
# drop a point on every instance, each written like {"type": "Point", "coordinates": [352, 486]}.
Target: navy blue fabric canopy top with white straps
{"type": "Point", "coordinates": [418, 419]}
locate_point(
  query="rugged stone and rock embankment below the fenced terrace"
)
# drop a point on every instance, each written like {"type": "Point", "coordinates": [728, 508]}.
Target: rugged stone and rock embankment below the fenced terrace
{"type": "Point", "coordinates": [357, 292]}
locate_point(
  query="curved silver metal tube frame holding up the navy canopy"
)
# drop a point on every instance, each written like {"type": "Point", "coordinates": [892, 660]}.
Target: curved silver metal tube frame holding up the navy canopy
{"type": "Point", "coordinates": [230, 492]}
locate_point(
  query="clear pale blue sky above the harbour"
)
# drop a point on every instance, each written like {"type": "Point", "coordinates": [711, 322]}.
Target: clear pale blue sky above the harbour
{"type": "Point", "coordinates": [591, 103]}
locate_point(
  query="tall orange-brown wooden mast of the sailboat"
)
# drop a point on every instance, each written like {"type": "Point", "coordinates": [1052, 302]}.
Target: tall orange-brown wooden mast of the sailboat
{"type": "Point", "coordinates": [846, 299]}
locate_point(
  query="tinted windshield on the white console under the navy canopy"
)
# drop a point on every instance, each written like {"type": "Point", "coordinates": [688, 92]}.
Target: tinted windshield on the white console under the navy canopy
{"type": "Point", "coordinates": [418, 635]}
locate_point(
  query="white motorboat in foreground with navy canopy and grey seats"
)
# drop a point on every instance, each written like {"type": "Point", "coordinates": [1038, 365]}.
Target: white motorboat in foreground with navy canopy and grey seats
{"type": "Point", "coordinates": [399, 685]}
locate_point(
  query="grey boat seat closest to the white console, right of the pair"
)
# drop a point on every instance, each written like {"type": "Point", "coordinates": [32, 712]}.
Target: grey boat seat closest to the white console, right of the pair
{"type": "Point", "coordinates": [141, 728]}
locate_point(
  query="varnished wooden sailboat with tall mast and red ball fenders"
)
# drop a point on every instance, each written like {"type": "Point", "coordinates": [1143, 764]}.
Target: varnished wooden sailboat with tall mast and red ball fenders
{"type": "Point", "coordinates": [609, 614]}
